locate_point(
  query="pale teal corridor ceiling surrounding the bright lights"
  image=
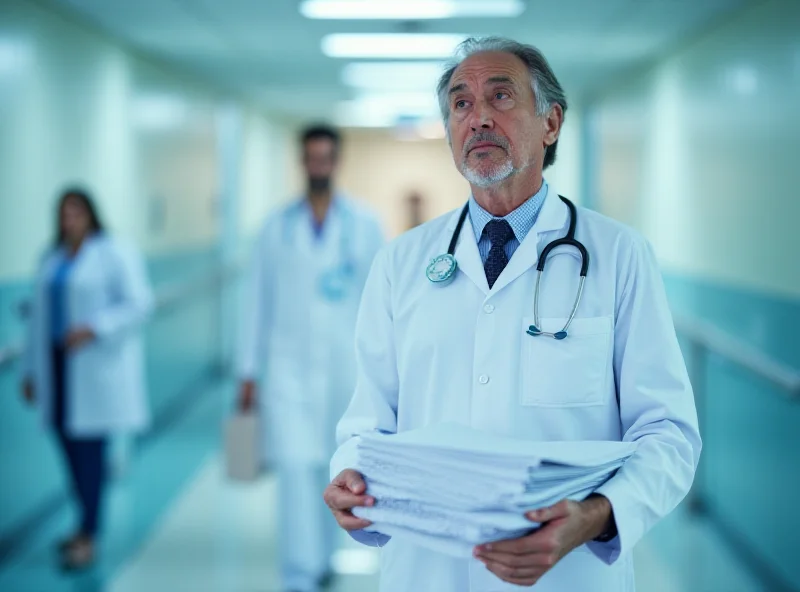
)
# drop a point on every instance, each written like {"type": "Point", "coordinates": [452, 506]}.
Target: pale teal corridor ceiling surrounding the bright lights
{"type": "Point", "coordinates": [268, 51]}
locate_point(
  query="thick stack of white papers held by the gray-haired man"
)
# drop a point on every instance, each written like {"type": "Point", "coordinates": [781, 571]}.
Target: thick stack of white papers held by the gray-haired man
{"type": "Point", "coordinates": [450, 487]}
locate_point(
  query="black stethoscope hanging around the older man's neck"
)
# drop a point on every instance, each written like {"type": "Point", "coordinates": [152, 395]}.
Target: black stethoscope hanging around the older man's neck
{"type": "Point", "coordinates": [442, 268]}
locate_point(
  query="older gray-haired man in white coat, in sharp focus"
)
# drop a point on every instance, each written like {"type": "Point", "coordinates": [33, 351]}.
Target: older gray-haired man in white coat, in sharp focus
{"type": "Point", "coordinates": [482, 348]}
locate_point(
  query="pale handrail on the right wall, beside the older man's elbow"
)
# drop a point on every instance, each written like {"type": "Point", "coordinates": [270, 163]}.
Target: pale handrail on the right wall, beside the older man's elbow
{"type": "Point", "coordinates": [717, 341]}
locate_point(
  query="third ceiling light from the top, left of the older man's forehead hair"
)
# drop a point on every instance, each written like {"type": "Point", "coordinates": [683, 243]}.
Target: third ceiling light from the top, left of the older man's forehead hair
{"type": "Point", "coordinates": [390, 76]}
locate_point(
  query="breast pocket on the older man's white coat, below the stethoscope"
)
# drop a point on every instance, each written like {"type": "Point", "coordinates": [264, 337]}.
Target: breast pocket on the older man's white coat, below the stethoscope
{"type": "Point", "coordinates": [572, 372]}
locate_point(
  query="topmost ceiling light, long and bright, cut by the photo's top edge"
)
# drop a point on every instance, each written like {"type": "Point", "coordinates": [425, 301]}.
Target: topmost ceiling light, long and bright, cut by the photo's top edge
{"type": "Point", "coordinates": [410, 9]}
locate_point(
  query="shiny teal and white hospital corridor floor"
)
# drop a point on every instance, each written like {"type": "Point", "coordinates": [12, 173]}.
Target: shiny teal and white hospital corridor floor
{"type": "Point", "coordinates": [175, 523]}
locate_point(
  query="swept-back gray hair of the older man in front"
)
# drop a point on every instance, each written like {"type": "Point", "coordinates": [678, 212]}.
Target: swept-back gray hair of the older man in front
{"type": "Point", "coordinates": [547, 91]}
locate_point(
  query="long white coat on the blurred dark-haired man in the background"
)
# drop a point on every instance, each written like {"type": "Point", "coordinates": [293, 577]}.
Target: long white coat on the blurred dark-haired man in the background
{"type": "Point", "coordinates": [296, 340]}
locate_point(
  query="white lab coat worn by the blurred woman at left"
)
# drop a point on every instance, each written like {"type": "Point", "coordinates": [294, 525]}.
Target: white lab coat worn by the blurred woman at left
{"type": "Point", "coordinates": [108, 291]}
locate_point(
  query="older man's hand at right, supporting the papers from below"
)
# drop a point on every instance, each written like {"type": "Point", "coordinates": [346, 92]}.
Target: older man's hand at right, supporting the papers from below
{"type": "Point", "coordinates": [564, 526]}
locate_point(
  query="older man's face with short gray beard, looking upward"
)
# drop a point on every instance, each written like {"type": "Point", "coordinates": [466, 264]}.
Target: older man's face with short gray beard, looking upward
{"type": "Point", "coordinates": [493, 127]}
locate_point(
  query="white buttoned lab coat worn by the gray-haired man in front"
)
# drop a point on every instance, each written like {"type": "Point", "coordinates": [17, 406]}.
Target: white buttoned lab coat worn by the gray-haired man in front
{"type": "Point", "coordinates": [428, 353]}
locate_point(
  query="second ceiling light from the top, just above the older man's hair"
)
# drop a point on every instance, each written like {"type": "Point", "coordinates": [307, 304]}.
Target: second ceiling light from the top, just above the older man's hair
{"type": "Point", "coordinates": [390, 45]}
